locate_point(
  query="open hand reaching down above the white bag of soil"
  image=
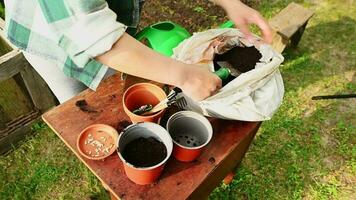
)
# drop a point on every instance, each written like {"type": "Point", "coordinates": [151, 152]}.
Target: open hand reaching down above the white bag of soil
{"type": "Point", "coordinates": [243, 15]}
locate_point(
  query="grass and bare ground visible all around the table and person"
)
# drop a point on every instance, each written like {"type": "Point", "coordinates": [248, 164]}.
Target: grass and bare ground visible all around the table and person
{"type": "Point", "coordinates": [307, 151]}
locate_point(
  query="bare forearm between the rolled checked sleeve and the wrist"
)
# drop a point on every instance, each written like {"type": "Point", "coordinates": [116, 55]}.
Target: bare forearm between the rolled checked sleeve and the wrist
{"type": "Point", "coordinates": [130, 56]}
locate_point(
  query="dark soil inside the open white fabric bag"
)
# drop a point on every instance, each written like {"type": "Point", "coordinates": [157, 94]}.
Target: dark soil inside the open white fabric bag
{"type": "Point", "coordinates": [243, 59]}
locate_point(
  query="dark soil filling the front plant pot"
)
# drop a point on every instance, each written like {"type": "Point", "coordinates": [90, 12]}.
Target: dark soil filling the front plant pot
{"type": "Point", "coordinates": [144, 152]}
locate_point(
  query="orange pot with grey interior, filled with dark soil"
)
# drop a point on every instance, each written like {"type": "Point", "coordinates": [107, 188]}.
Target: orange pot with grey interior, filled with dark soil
{"type": "Point", "coordinates": [144, 148]}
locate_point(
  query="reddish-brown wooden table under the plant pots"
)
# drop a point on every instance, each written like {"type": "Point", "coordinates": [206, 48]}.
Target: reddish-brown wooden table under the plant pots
{"type": "Point", "coordinates": [179, 180]}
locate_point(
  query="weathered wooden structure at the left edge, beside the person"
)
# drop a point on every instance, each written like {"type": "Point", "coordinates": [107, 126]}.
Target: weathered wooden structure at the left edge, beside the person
{"type": "Point", "coordinates": [24, 96]}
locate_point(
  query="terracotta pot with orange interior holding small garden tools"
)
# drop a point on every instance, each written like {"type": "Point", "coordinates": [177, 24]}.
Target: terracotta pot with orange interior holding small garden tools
{"type": "Point", "coordinates": [143, 94]}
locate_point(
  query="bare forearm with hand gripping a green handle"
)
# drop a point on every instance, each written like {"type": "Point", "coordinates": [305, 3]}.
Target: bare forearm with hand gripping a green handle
{"type": "Point", "coordinates": [132, 57]}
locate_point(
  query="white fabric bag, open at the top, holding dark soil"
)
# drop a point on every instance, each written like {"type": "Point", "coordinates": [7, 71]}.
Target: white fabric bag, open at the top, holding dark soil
{"type": "Point", "coordinates": [252, 96]}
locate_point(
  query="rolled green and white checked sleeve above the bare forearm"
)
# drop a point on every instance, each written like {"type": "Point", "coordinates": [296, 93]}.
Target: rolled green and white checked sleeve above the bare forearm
{"type": "Point", "coordinates": [84, 28]}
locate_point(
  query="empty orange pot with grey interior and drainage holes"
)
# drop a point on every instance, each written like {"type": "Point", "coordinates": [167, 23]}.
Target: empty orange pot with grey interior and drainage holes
{"type": "Point", "coordinates": [190, 132]}
